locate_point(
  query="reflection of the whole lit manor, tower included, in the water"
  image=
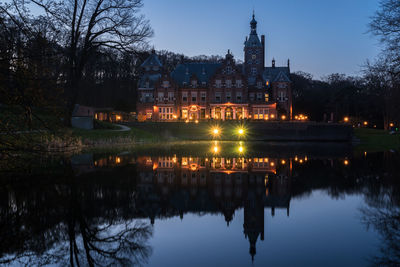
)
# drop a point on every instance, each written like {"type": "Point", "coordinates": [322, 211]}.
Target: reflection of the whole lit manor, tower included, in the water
{"type": "Point", "coordinates": [170, 186]}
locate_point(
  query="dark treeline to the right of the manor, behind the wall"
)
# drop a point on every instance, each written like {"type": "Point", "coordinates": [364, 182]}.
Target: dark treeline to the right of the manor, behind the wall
{"type": "Point", "coordinates": [337, 96]}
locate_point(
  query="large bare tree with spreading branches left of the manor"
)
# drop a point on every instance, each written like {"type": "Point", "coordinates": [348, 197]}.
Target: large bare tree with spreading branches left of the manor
{"type": "Point", "coordinates": [87, 26]}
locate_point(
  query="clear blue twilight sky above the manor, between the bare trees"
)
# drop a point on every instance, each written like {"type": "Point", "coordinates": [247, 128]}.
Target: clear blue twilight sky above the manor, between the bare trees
{"type": "Point", "coordinates": [319, 36]}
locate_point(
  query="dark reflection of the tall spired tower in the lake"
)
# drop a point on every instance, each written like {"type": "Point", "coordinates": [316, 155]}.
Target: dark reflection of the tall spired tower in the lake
{"type": "Point", "coordinates": [253, 219]}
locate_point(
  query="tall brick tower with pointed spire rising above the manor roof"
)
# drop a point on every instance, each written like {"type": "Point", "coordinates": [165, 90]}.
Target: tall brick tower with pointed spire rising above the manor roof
{"type": "Point", "coordinates": [254, 52]}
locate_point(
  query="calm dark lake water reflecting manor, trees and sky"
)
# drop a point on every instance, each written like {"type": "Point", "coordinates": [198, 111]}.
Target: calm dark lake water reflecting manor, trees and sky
{"type": "Point", "coordinates": [204, 204]}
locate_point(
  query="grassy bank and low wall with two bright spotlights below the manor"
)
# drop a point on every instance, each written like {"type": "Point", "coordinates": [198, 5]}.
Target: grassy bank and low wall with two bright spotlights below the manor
{"type": "Point", "coordinates": [227, 131]}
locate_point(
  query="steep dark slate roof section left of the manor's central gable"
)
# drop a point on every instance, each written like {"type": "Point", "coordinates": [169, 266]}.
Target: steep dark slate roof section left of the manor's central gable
{"type": "Point", "coordinates": [203, 72]}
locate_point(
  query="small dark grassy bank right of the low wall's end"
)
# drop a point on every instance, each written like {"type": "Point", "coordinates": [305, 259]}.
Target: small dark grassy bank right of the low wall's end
{"type": "Point", "coordinates": [376, 140]}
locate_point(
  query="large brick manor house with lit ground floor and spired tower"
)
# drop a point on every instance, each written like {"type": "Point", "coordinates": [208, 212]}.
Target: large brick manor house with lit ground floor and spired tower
{"type": "Point", "coordinates": [217, 91]}
